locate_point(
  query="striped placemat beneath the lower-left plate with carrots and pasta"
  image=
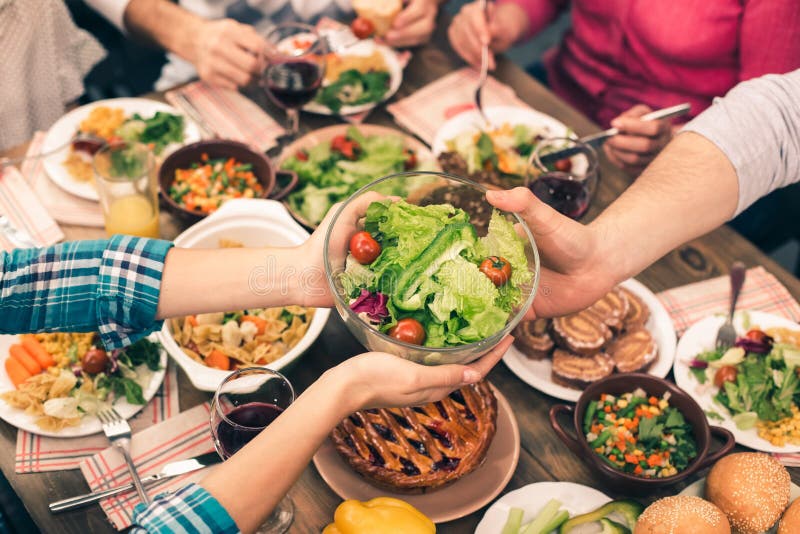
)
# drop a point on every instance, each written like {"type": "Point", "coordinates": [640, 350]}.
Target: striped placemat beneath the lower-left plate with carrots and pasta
{"type": "Point", "coordinates": [38, 453]}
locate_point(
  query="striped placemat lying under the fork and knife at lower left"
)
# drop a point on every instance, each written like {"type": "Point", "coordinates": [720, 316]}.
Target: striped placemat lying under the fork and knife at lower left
{"type": "Point", "coordinates": [184, 436]}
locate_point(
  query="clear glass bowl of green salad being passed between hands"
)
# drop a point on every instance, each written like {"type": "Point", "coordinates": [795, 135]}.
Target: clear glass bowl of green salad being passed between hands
{"type": "Point", "coordinates": [433, 275]}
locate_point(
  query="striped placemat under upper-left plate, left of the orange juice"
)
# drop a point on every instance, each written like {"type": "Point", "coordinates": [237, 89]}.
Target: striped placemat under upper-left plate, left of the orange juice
{"type": "Point", "coordinates": [62, 206]}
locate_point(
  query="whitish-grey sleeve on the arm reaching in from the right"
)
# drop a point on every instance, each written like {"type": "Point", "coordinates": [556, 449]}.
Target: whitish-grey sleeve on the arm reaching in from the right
{"type": "Point", "coordinates": [757, 126]}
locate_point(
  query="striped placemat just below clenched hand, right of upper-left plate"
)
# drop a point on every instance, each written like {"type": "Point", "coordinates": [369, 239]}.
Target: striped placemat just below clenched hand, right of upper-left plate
{"type": "Point", "coordinates": [230, 114]}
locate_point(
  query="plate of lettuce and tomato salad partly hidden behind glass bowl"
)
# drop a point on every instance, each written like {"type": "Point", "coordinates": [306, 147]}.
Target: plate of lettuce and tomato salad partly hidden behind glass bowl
{"type": "Point", "coordinates": [334, 162]}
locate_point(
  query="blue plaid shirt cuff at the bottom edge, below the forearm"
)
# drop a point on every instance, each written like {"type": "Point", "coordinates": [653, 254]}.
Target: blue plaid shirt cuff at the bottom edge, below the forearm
{"type": "Point", "coordinates": [191, 509]}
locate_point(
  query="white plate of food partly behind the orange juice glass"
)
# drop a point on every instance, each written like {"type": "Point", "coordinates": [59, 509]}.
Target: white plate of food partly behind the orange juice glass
{"type": "Point", "coordinates": [132, 119]}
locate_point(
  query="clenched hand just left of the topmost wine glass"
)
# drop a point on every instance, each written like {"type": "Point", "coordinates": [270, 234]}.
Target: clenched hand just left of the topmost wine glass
{"type": "Point", "coordinates": [227, 53]}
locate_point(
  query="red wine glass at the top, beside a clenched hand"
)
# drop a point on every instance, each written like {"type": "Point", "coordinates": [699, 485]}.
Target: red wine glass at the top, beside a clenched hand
{"type": "Point", "coordinates": [295, 68]}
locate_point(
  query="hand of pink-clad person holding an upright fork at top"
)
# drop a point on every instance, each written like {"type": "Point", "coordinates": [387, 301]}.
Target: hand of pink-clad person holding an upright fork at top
{"type": "Point", "coordinates": [469, 31]}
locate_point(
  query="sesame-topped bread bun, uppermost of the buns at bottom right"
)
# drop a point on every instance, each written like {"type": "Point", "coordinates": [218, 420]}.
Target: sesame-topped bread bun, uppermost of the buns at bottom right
{"type": "Point", "coordinates": [752, 489]}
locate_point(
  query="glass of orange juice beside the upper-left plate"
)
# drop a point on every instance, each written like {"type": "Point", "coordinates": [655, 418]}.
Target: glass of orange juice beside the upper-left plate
{"type": "Point", "coordinates": [125, 174]}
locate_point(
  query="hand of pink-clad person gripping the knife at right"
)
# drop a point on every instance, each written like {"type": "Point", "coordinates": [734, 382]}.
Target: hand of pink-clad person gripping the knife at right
{"type": "Point", "coordinates": [639, 142]}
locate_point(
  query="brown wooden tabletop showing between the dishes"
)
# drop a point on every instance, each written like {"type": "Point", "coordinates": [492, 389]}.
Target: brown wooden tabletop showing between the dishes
{"type": "Point", "coordinates": [543, 457]}
